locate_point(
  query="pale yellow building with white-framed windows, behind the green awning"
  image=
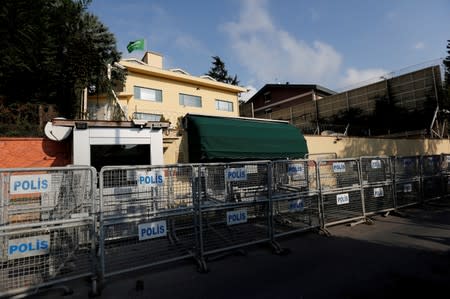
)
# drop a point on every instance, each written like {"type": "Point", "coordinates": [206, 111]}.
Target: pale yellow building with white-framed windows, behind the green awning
{"type": "Point", "coordinates": [156, 94]}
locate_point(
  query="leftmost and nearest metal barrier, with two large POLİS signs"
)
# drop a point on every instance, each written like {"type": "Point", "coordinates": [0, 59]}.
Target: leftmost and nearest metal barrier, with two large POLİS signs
{"type": "Point", "coordinates": [47, 227]}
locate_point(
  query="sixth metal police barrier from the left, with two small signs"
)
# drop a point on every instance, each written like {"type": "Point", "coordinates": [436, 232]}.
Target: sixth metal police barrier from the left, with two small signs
{"type": "Point", "coordinates": [377, 184]}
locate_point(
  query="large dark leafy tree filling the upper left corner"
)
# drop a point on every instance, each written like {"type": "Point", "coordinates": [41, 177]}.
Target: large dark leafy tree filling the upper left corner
{"type": "Point", "coordinates": [51, 50]}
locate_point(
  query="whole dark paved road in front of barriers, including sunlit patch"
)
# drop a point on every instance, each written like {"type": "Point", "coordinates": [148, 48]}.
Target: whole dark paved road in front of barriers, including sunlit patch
{"type": "Point", "coordinates": [398, 256]}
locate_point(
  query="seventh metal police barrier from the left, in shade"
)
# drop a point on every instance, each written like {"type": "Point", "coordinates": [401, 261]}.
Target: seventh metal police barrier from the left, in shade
{"type": "Point", "coordinates": [407, 181]}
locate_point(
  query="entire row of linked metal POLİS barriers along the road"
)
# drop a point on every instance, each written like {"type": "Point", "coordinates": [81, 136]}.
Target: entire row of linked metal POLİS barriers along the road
{"type": "Point", "coordinates": [55, 225]}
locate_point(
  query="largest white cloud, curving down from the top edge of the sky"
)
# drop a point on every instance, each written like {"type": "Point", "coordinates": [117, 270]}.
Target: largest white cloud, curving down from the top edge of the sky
{"type": "Point", "coordinates": [271, 53]}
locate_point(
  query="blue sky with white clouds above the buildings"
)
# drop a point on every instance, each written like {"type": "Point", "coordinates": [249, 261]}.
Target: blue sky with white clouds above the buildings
{"type": "Point", "coordinates": [336, 44]}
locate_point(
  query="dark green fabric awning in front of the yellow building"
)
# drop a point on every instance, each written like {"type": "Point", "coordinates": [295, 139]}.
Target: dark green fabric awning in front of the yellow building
{"type": "Point", "coordinates": [224, 139]}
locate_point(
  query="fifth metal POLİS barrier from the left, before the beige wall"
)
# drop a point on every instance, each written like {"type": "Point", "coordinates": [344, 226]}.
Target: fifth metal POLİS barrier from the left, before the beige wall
{"type": "Point", "coordinates": [340, 187]}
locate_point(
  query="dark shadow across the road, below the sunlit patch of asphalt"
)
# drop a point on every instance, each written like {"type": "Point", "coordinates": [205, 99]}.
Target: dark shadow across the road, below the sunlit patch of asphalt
{"type": "Point", "coordinates": [317, 267]}
